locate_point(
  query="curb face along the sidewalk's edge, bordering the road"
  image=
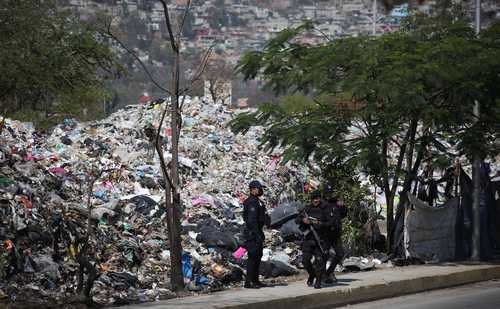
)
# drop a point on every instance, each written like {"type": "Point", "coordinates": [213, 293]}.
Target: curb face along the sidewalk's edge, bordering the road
{"type": "Point", "coordinates": [334, 298]}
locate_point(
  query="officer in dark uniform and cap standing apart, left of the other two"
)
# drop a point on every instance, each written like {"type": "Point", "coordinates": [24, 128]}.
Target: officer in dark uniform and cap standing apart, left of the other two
{"type": "Point", "coordinates": [255, 217]}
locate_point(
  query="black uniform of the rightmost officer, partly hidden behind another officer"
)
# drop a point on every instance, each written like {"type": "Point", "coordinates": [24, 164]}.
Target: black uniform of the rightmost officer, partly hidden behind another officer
{"type": "Point", "coordinates": [335, 236]}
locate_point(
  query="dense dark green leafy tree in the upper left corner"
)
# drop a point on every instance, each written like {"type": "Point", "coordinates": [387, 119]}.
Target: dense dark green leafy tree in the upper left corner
{"type": "Point", "coordinates": [52, 65]}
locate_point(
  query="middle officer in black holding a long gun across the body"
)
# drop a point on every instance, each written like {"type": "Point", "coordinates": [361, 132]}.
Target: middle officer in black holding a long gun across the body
{"type": "Point", "coordinates": [316, 221]}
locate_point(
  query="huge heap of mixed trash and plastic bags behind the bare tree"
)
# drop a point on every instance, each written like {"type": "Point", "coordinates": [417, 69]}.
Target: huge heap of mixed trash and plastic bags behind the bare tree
{"type": "Point", "coordinates": [47, 183]}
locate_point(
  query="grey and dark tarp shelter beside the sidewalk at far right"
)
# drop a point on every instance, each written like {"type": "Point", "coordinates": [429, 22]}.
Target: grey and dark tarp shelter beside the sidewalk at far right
{"type": "Point", "coordinates": [444, 233]}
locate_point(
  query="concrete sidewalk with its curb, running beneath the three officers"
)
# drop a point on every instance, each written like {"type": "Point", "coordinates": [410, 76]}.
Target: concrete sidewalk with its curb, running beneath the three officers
{"type": "Point", "coordinates": [351, 288]}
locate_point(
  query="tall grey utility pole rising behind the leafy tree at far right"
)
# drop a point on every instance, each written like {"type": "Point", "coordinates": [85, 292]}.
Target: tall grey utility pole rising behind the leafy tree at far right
{"type": "Point", "coordinates": [476, 167]}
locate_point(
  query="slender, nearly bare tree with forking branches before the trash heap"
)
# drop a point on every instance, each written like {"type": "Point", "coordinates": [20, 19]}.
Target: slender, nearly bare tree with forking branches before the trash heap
{"type": "Point", "coordinates": [173, 107]}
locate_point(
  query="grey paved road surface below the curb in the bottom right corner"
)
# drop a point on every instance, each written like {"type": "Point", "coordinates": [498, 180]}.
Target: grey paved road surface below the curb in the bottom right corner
{"type": "Point", "coordinates": [484, 295]}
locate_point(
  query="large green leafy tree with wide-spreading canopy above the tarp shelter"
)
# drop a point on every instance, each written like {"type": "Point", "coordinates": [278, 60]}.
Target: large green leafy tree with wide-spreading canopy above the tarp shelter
{"type": "Point", "coordinates": [383, 105]}
